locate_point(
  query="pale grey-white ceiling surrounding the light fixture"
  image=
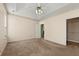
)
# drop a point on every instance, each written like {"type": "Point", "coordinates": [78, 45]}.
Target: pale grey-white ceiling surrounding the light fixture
{"type": "Point", "coordinates": [28, 9]}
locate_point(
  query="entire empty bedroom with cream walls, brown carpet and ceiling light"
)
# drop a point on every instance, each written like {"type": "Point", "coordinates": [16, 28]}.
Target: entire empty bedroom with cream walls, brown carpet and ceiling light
{"type": "Point", "coordinates": [39, 29]}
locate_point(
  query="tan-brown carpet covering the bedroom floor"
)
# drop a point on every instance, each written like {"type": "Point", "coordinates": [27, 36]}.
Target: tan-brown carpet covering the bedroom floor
{"type": "Point", "coordinates": [38, 47]}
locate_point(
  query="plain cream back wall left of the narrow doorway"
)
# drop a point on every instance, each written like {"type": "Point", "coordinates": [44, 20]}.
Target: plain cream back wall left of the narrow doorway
{"type": "Point", "coordinates": [20, 28]}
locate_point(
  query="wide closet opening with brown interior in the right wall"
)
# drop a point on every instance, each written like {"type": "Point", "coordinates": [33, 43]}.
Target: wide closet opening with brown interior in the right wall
{"type": "Point", "coordinates": [73, 32]}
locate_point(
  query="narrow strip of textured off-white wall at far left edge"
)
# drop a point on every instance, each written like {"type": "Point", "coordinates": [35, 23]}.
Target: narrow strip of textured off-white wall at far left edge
{"type": "Point", "coordinates": [3, 39]}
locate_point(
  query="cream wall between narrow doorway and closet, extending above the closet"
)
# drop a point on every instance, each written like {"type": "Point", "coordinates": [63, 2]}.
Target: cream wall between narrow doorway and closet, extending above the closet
{"type": "Point", "coordinates": [55, 26]}
